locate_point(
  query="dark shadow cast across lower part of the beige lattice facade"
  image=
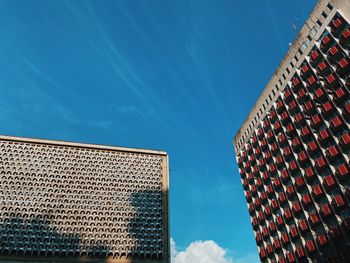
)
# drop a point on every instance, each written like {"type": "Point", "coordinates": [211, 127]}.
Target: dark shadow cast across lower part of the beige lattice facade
{"type": "Point", "coordinates": [34, 238]}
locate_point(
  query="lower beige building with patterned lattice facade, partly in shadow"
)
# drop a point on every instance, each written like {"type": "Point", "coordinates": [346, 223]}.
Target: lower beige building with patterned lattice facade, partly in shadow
{"type": "Point", "coordinates": [74, 202]}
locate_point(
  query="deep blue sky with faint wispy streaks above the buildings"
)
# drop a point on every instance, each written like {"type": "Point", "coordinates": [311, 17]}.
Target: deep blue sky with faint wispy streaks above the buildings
{"type": "Point", "coordinates": [179, 76]}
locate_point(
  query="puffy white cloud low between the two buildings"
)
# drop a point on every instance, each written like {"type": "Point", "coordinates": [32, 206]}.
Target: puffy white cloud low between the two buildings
{"type": "Point", "coordinates": [200, 252]}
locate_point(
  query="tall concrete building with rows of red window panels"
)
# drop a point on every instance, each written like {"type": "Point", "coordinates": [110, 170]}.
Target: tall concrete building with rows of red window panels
{"type": "Point", "coordinates": [293, 148]}
